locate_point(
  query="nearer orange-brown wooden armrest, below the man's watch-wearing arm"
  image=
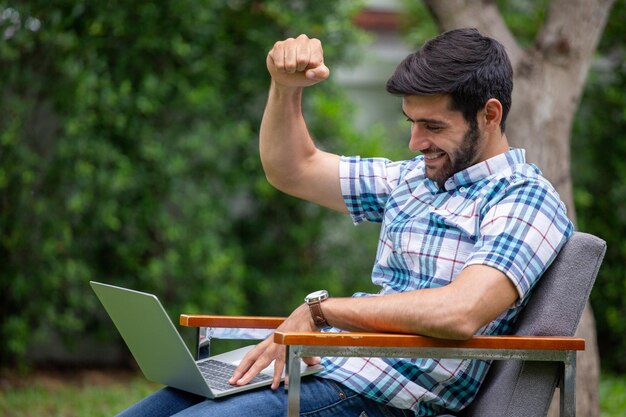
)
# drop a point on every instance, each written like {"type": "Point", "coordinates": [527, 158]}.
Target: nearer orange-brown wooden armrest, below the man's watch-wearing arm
{"type": "Point", "coordinates": [411, 341]}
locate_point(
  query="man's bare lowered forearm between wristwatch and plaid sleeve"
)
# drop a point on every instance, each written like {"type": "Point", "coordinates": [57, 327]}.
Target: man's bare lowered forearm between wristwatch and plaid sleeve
{"type": "Point", "coordinates": [455, 311]}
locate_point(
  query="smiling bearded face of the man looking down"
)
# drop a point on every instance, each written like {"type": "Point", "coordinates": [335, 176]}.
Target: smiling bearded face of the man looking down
{"type": "Point", "coordinates": [449, 144]}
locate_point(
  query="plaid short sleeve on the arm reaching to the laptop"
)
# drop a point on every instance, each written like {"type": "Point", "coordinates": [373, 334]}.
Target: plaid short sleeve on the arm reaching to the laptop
{"type": "Point", "coordinates": [522, 233]}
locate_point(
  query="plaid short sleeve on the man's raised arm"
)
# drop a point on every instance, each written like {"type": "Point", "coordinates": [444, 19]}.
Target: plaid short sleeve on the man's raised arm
{"type": "Point", "coordinates": [366, 184]}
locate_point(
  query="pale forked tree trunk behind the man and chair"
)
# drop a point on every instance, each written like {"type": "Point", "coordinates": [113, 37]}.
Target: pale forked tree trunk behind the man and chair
{"type": "Point", "coordinates": [548, 83]}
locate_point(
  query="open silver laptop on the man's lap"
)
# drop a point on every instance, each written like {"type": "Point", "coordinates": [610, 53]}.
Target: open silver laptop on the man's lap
{"type": "Point", "coordinates": [161, 353]}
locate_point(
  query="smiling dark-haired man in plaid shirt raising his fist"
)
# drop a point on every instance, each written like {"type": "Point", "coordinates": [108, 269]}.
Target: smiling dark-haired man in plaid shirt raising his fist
{"type": "Point", "coordinates": [467, 230]}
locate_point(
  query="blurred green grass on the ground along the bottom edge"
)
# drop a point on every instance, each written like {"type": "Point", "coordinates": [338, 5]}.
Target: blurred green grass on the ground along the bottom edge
{"type": "Point", "coordinates": [105, 393]}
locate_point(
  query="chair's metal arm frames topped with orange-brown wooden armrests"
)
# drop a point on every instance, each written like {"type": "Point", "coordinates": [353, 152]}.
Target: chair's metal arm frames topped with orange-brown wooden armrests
{"type": "Point", "coordinates": [352, 344]}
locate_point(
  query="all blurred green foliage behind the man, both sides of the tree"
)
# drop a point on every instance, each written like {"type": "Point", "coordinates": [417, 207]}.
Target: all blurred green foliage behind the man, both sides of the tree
{"type": "Point", "coordinates": [128, 154]}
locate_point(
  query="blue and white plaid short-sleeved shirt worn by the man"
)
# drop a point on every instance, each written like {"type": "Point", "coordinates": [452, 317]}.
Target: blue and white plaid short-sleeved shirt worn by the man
{"type": "Point", "coordinates": [500, 212]}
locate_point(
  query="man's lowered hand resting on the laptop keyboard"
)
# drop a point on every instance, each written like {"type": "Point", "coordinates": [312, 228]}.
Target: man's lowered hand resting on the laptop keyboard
{"type": "Point", "coordinates": [267, 351]}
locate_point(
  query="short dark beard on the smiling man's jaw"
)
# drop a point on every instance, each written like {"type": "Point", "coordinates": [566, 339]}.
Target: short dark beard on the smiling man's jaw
{"type": "Point", "coordinates": [461, 158]}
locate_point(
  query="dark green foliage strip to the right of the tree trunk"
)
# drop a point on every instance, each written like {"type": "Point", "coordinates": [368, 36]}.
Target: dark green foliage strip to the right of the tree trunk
{"type": "Point", "coordinates": [599, 175]}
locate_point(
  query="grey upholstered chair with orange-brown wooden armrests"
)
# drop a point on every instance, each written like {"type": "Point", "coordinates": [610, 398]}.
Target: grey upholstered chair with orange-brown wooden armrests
{"type": "Point", "coordinates": [529, 364]}
